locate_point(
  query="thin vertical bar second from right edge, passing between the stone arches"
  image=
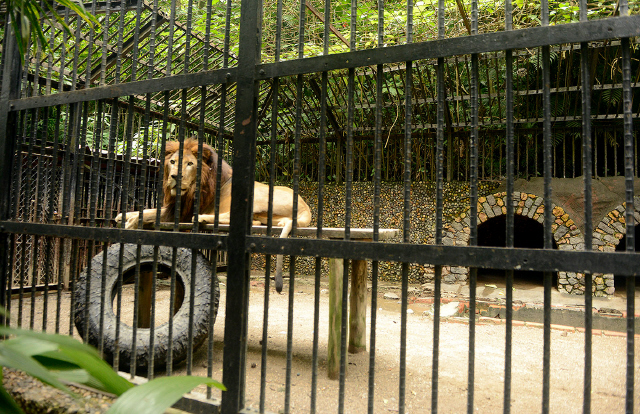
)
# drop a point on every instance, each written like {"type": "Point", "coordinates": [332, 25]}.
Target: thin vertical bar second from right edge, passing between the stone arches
{"type": "Point", "coordinates": [585, 75]}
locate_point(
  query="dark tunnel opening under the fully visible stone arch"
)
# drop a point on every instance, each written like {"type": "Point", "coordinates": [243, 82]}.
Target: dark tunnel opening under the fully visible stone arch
{"type": "Point", "coordinates": [528, 233]}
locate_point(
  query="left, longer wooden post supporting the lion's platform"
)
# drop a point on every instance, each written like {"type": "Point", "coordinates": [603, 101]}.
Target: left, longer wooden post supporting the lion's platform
{"type": "Point", "coordinates": [336, 276]}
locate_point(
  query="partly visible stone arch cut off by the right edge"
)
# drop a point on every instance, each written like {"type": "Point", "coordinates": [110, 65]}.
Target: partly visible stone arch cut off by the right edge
{"type": "Point", "coordinates": [606, 237]}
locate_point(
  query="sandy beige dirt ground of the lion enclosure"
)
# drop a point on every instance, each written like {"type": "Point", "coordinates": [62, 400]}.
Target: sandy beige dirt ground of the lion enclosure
{"type": "Point", "coordinates": [567, 359]}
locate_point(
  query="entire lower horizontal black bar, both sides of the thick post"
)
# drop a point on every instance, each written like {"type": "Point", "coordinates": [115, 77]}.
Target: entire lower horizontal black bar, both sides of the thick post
{"type": "Point", "coordinates": [483, 257]}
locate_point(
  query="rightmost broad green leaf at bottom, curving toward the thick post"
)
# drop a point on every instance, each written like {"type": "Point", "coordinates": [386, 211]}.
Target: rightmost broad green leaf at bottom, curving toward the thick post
{"type": "Point", "coordinates": [159, 394]}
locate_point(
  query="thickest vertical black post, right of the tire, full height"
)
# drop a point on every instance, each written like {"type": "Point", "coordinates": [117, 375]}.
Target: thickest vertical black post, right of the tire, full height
{"type": "Point", "coordinates": [237, 304]}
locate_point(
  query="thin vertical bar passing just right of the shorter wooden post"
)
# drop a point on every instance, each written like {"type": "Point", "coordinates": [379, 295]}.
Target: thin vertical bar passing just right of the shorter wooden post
{"type": "Point", "coordinates": [376, 209]}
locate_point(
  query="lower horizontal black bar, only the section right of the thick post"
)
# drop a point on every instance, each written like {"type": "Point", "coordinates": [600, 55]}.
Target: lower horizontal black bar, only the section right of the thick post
{"type": "Point", "coordinates": [481, 257]}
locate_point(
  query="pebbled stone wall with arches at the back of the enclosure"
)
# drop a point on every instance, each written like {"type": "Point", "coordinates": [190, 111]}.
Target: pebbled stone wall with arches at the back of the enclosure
{"type": "Point", "coordinates": [567, 227]}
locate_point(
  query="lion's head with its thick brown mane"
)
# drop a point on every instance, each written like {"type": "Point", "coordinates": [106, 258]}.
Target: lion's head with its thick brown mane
{"type": "Point", "coordinates": [188, 178]}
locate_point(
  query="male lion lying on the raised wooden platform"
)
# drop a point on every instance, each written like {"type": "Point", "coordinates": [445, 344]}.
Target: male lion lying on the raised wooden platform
{"type": "Point", "coordinates": [282, 197]}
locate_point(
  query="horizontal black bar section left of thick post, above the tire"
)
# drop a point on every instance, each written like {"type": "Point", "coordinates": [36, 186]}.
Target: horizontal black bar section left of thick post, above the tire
{"type": "Point", "coordinates": [204, 241]}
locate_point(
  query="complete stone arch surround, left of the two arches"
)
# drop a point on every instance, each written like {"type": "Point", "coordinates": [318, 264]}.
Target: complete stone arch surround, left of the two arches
{"type": "Point", "coordinates": [565, 232]}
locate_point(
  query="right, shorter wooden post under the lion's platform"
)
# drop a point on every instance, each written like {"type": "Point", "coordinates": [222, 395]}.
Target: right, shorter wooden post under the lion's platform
{"type": "Point", "coordinates": [358, 307]}
